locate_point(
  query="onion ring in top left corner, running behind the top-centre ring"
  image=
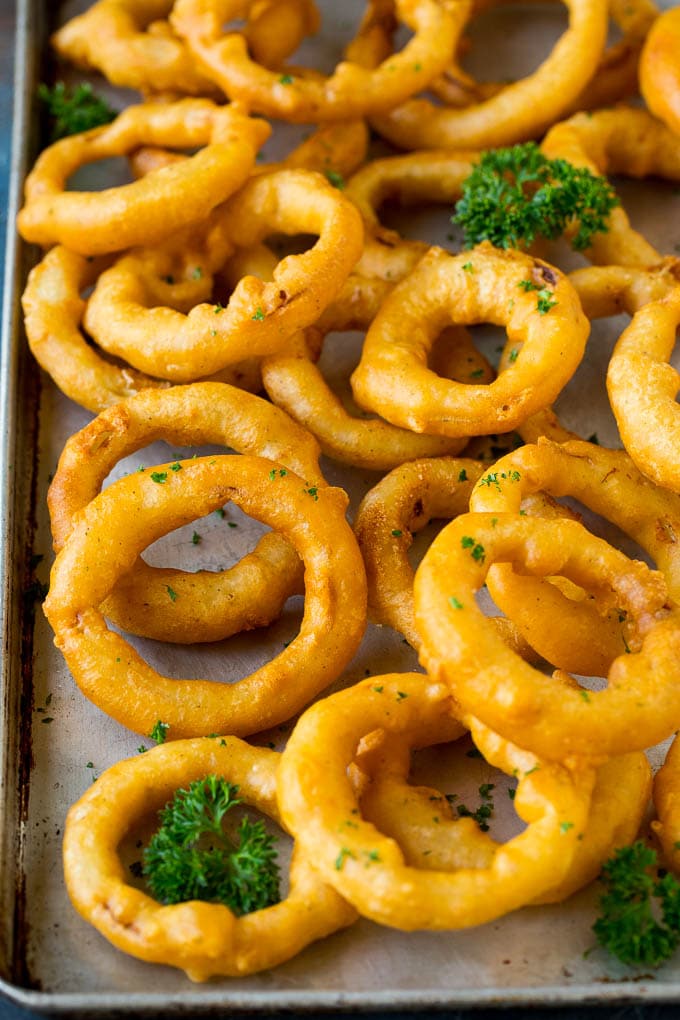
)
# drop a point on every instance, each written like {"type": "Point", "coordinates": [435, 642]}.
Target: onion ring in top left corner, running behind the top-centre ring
{"type": "Point", "coordinates": [134, 46]}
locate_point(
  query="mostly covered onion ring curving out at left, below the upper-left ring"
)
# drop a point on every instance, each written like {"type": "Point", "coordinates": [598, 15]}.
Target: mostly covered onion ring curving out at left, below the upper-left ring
{"type": "Point", "coordinates": [54, 311]}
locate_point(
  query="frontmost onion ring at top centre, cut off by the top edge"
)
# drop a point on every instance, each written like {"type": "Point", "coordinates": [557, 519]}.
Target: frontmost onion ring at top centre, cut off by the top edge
{"type": "Point", "coordinates": [302, 96]}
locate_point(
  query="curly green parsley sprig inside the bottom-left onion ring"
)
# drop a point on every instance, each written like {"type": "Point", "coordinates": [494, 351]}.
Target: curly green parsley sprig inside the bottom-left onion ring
{"type": "Point", "coordinates": [192, 857]}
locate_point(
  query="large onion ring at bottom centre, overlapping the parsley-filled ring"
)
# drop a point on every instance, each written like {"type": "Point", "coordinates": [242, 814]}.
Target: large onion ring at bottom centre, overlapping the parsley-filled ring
{"type": "Point", "coordinates": [369, 869]}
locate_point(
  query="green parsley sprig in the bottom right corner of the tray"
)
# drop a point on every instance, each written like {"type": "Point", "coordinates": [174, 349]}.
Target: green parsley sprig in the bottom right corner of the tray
{"type": "Point", "coordinates": [626, 926]}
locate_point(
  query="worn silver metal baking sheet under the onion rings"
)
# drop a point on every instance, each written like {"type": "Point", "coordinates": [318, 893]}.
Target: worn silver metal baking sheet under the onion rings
{"type": "Point", "coordinates": [50, 960]}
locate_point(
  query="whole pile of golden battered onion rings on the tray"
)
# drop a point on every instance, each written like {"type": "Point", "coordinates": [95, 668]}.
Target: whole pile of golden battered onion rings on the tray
{"type": "Point", "coordinates": [160, 304]}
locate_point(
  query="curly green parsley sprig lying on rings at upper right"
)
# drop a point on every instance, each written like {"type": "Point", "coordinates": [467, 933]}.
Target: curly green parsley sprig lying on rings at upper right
{"type": "Point", "coordinates": [517, 194]}
